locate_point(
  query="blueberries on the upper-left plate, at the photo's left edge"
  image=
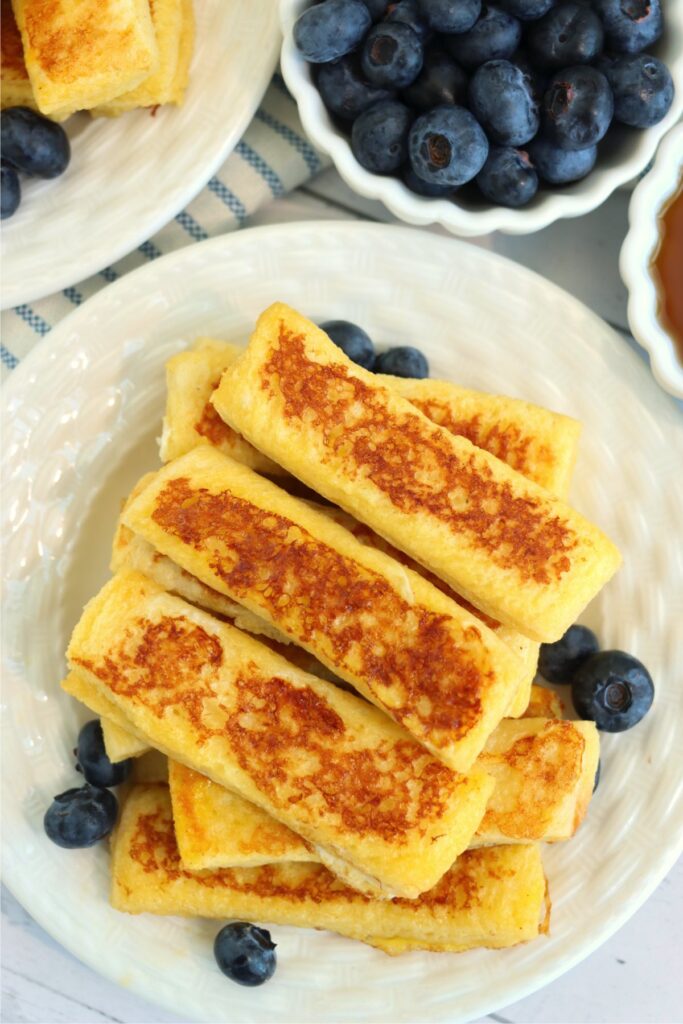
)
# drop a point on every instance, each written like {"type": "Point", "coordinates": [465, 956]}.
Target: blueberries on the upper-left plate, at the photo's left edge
{"type": "Point", "coordinates": [31, 145]}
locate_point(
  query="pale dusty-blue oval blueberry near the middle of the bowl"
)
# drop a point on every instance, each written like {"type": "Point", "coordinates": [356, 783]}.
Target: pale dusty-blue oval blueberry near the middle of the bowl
{"type": "Point", "coordinates": [502, 101]}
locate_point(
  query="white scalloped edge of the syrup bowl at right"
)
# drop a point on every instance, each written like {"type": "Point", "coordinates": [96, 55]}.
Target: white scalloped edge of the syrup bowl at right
{"type": "Point", "coordinates": [648, 203]}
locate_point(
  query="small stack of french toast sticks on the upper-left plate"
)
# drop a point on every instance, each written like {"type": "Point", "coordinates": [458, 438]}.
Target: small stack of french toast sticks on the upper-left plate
{"type": "Point", "coordinates": [106, 57]}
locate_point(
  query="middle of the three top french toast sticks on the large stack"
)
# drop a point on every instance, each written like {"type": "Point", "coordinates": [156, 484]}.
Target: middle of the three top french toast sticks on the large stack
{"type": "Point", "coordinates": [436, 668]}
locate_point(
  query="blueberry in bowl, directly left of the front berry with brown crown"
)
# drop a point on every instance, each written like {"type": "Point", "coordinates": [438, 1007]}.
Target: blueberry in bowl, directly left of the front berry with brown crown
{"type": "Point", "coordinates": [379, 137]}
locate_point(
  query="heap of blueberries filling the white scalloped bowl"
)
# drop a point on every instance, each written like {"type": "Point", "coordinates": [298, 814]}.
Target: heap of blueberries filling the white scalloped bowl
{"type": "Point", "coordinates": [507, 96]}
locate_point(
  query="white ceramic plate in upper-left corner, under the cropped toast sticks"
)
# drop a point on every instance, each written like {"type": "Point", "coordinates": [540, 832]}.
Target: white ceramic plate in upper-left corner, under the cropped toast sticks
{"type": "Point", "coordinates": [130, 177]}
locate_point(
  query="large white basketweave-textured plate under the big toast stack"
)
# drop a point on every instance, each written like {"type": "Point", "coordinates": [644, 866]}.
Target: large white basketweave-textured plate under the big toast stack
{"type": "Point", "coordinates": [81, 415]}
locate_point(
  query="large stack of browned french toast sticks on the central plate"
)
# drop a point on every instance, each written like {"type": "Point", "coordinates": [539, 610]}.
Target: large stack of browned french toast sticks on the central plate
{"type": "Point", "coordinates": [326, 614]}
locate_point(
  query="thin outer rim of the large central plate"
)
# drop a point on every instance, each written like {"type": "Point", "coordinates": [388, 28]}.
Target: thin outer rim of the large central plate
{"type": "Point", "coordinates": [61, 337]}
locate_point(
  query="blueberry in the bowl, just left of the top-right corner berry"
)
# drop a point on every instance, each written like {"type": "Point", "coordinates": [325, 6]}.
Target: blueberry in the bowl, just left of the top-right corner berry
{"type": "Point", "coordinates": [570, 34]}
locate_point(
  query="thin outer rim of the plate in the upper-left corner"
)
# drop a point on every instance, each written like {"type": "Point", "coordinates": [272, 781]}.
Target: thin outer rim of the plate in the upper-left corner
{"type": "Point", "coordinates": [22, 294]}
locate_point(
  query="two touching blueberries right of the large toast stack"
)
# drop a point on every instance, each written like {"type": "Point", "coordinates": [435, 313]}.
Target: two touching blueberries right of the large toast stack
{"type": "Point", "coordinates": [609, 688]}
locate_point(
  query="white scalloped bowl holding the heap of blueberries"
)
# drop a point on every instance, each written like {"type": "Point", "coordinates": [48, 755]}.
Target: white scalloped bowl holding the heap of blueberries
{"type": "Point", "coordinates": [624, 155]}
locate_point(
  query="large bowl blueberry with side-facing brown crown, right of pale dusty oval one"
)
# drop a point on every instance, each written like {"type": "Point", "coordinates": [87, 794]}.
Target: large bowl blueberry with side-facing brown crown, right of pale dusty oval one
{"type": "Point", "coordinates": [578, 108]}
